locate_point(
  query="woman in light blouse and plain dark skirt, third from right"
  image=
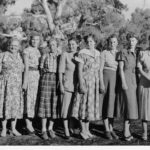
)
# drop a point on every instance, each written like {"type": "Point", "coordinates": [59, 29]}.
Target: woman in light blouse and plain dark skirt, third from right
{"type": "Point", "coordinates": [108, 74]}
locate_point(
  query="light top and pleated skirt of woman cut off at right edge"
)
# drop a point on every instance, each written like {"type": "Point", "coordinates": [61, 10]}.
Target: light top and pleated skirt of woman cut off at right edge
{"type": "Point", "coordinates": [144, 87]}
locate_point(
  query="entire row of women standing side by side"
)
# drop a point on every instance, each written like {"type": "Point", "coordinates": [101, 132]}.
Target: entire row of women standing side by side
{"type": "Point", "coordinates": [87, 83]}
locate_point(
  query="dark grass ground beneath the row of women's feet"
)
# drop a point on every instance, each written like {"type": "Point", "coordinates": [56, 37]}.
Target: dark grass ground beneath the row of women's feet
{"type": "Point", "coordinates": [96, 128]}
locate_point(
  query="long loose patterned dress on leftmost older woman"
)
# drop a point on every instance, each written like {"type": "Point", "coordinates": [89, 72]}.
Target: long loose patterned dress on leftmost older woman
{"type": "Point", "coordinates": [11, 99]}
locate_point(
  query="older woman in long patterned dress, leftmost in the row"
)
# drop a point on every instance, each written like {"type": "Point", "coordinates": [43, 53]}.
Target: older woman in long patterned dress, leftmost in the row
{"type": "Point", "coordinates": [11, 100]}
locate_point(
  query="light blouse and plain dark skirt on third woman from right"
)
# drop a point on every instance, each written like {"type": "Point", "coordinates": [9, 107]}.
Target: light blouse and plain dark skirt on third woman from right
{"type": "Point", "coordinates": [108, 58]}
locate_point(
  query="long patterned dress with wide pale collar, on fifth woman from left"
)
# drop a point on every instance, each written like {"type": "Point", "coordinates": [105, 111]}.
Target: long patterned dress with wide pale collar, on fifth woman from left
{"type": "Point", "coordinates": [87, 106]}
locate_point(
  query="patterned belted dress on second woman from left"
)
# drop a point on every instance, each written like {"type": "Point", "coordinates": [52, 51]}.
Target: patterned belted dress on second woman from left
{"type": "Point", "coordinates": [33, 55]}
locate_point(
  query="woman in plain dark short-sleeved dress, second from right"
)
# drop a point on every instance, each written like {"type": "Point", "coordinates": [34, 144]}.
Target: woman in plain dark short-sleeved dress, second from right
{"type": "Point", "coordinates": [127, 66]}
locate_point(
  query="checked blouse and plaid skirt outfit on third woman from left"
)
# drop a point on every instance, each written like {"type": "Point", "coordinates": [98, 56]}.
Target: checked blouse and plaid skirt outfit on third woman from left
{"type": "Point", "coordinates": [48, 101]}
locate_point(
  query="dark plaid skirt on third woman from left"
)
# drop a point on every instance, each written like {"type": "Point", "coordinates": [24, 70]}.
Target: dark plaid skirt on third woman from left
{"type": "Point", "coordinates": [48, 102]}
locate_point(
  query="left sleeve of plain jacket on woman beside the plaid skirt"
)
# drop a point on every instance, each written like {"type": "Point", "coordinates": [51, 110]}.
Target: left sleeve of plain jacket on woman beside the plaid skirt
{"type": "Point", "coordinates": [62, 63]}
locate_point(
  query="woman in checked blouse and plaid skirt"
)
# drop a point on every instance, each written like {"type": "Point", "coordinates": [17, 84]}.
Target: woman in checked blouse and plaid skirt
{"type": "Point", "coordinates": [48, 104]}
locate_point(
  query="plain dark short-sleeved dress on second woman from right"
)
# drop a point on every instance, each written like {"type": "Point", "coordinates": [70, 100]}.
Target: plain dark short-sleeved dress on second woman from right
{"type": "Point", "coordinates": [129, 98]}
